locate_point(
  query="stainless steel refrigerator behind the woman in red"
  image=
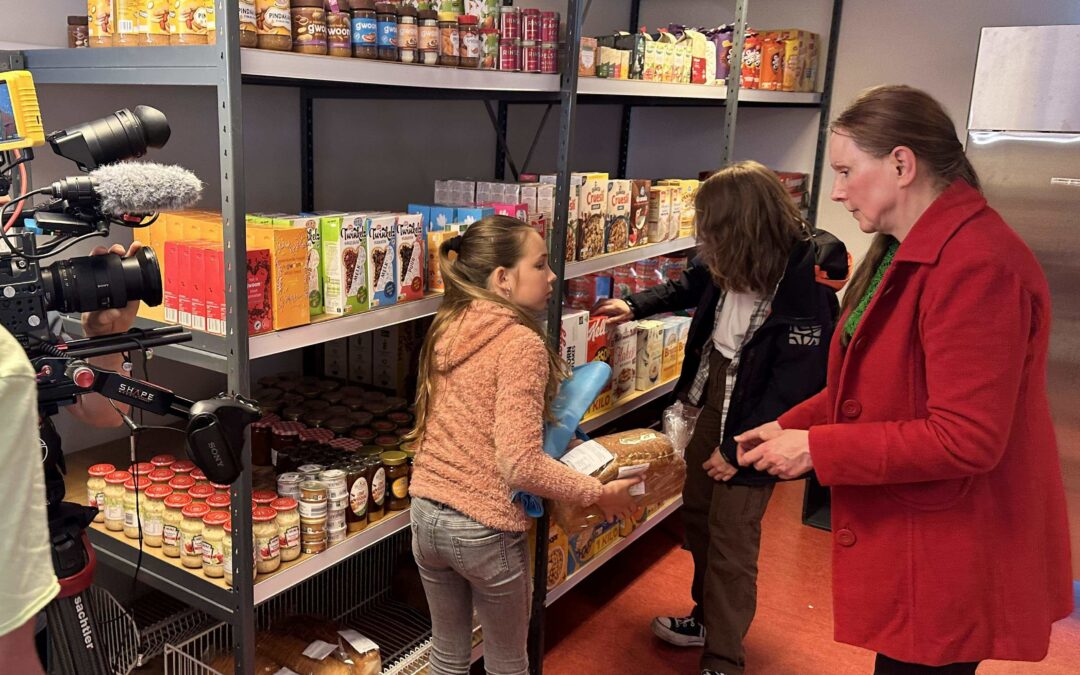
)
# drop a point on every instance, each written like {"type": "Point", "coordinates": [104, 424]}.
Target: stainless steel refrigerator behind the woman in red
{"type": "Point", "coordinates": [1024, 141]}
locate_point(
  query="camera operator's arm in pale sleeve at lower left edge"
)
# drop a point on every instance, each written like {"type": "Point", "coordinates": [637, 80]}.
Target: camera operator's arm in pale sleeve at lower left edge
{"type": "Point", "coordinates": [29, 583]}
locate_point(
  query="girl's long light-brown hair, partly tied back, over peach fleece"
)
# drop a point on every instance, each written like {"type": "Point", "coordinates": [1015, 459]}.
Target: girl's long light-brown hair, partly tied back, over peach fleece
{"type": "Point", "coordinates": [489, 245]}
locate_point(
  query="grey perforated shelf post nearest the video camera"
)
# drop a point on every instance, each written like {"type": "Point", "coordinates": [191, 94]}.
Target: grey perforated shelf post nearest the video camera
{"type": "Point", "coordinates": [231, 157]}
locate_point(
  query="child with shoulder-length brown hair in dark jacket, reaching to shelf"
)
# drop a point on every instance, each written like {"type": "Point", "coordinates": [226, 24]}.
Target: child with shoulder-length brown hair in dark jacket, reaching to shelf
{"type": "Point", "coordinates": [764, 286]}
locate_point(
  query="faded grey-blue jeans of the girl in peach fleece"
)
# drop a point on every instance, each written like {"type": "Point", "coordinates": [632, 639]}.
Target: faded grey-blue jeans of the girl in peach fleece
{"type": "Point", "coordinates": [466, 564]}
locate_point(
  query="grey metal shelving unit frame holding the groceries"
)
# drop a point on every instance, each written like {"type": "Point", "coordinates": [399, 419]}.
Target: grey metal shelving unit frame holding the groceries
{"type": "Point", "coordinates": [225, 67]}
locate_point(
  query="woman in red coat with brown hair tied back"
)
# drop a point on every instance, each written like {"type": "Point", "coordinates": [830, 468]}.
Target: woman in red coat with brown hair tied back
{"type": "Point", "coordinates": [950, 535]}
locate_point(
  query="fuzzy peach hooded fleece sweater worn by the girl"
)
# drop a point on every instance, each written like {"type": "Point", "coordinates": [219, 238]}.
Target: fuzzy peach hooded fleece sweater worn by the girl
{"type": "Point", "coordinates": [484, 435]}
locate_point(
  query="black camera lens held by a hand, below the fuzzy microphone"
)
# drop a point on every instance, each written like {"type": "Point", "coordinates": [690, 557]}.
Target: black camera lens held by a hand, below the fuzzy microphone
{"type": "Point", "coordinates": [91, 283]}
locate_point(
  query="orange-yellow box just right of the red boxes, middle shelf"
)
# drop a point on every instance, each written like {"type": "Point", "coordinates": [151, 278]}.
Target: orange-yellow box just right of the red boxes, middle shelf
{"type": "Point", "coordinates": [289, 260]}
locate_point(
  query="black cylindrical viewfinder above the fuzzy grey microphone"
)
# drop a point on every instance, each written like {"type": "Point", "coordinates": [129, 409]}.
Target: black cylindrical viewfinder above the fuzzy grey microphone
{"type": "Point", "coordinates": [123, 136]}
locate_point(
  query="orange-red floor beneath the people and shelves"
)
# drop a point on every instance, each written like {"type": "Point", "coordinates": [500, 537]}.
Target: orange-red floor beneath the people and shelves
{"type": "Point", "coordinates": [602, 627]}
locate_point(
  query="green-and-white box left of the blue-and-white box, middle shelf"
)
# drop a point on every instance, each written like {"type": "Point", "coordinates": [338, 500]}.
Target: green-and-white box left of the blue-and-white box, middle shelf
{"type": "Point", "coordinates": [345, 264]}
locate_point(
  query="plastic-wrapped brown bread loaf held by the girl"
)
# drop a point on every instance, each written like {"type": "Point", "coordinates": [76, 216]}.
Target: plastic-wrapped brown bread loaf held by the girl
{"type": "Point", "coordinates": [639, 452]}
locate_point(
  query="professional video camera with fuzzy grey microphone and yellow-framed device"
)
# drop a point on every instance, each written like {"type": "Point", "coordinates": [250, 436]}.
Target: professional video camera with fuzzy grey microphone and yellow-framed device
{"type": "Point", "coordinates": [111, 193]}
